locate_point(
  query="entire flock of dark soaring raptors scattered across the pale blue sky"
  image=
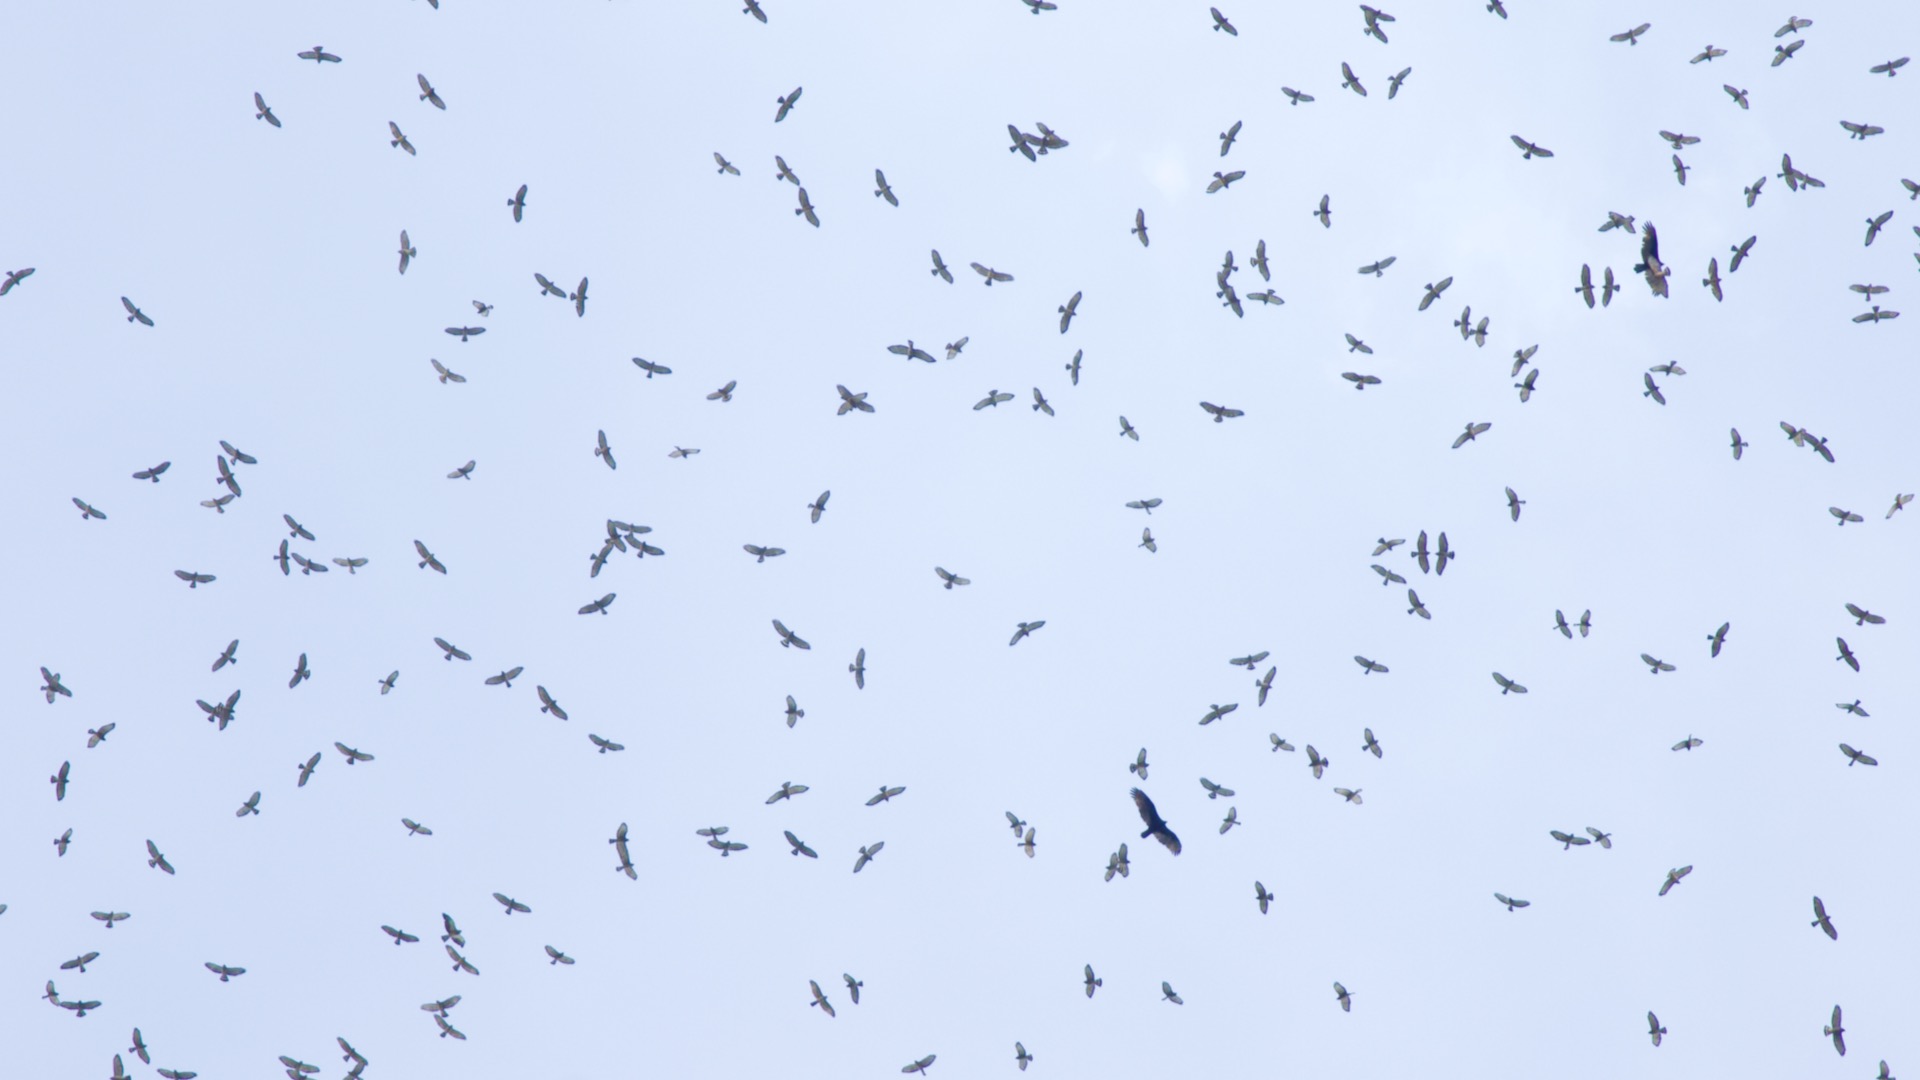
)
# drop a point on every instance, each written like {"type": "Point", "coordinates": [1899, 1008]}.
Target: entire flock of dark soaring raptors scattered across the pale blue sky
{"type": "Point", "coordinates": [1428, 556]}
